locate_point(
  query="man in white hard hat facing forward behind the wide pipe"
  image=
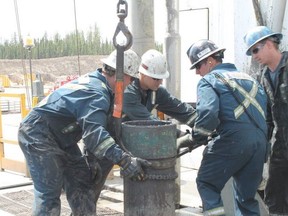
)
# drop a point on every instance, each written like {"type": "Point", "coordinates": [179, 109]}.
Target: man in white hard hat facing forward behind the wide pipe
{"type": "Point", "coordinates": [146, 93]}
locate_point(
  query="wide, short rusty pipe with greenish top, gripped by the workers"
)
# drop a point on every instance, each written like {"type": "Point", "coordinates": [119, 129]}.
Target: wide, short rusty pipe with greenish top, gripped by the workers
{"type": "Point", "coordinates": [154, 141]}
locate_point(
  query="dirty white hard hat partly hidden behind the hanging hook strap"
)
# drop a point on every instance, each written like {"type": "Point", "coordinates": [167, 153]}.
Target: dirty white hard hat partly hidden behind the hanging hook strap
{"type": "Point", "coordinates": [131, 62]}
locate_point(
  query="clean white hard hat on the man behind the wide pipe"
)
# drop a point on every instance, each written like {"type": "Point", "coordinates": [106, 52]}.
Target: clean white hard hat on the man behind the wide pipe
{"type": "Point", "coordinates": [153, 64]}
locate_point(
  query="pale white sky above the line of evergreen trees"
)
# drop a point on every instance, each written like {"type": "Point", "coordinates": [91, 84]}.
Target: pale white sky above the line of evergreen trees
{"type": "Point", "coordinates": [57, 16]}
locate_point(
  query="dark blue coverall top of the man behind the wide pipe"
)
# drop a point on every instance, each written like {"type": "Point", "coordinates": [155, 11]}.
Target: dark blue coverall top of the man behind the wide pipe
{"type": "Point", "coordinates": [138, 105]}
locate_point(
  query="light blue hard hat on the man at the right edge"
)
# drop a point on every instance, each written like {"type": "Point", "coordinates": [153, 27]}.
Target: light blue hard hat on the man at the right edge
{"type": "Point", "coordinates": [258, 34]}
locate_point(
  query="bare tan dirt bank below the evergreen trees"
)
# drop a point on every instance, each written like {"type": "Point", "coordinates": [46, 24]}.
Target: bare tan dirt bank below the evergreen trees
{"type": "Point", "coordinates": [50, 69]}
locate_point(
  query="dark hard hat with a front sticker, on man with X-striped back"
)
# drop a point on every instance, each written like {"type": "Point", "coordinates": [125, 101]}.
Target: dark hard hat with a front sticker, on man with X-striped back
{"type": "Point", "coordinates": [202, 49]}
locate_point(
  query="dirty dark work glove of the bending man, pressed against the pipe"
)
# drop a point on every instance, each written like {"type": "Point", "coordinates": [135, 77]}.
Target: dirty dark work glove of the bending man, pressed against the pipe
{"type": "Point", "coordinates": [133, 167]}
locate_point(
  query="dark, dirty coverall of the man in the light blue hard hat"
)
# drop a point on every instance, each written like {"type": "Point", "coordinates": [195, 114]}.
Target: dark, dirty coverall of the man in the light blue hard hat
{"type": "Point", "coordinates": [276, 191]}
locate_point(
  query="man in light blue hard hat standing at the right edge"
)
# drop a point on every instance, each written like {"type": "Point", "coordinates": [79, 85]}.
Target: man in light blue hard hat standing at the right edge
{"type": "Point", "coordinates": [263, 45]}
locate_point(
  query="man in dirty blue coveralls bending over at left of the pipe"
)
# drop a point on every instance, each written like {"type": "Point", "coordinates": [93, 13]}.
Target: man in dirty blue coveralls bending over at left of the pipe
{"type": "Point", "coordinates": [49, 136]}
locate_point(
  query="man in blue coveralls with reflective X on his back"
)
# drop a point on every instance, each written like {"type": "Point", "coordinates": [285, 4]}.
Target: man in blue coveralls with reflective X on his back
{"type": "Point", "coordinates": [233, 104]}
